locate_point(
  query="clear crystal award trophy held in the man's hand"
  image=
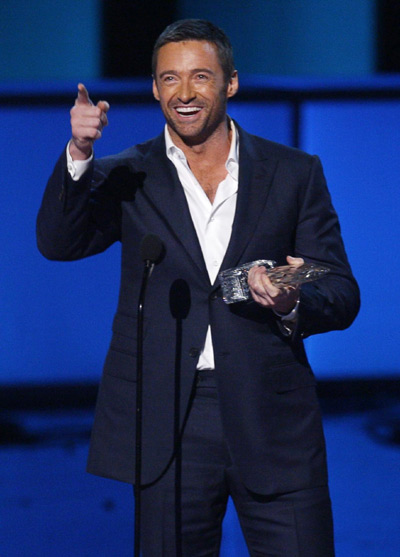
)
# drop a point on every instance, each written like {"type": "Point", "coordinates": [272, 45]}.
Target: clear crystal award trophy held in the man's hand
{"type": "Point", "coordinates": [234, 281]}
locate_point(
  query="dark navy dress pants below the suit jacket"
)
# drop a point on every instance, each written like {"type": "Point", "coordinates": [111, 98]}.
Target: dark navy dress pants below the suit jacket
{"type": "Point", "coordinates": [182, 513]}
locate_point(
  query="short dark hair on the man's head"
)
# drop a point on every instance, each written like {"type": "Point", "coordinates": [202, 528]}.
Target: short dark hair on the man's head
{"type": "Point", "coordinates": [197, 30]}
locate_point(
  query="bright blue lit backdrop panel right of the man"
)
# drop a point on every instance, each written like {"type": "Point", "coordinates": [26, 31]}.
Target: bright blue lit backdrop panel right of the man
{"type": "Point", "coordinates": [358, 143]}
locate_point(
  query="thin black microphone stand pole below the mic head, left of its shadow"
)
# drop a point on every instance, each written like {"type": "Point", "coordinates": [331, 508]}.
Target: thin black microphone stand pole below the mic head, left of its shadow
{"type": "Point", "coordinates": [139, 404]}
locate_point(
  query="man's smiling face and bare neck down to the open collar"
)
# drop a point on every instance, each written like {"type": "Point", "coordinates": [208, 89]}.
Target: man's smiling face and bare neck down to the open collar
{"type": "Point", "coordinates": [193, 91]}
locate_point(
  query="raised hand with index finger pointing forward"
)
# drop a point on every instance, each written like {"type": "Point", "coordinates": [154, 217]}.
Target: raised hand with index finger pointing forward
{"type": "Point", "coordinates": [87, 123]}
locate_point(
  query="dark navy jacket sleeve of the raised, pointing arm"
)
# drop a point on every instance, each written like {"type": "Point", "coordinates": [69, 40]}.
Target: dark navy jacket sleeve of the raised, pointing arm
{"type": "Point", "coordinates": [77, 218]}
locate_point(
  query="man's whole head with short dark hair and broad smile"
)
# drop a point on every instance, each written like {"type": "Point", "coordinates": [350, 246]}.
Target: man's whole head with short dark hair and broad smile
{"type": "Point", "coordinates": [193, 79]}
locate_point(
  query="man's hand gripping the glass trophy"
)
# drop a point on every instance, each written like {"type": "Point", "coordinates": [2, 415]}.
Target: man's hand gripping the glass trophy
{"type": "Point", "coordinates": [282, 299]}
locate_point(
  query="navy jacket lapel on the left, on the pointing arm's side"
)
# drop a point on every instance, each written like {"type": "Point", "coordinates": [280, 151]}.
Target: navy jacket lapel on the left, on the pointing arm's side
{"type": "Point", "coordinates": [166, 194]}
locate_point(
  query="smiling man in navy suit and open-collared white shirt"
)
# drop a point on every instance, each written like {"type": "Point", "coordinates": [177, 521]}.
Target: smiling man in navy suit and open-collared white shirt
{"type": "Point", "coordinates": [218, 197]}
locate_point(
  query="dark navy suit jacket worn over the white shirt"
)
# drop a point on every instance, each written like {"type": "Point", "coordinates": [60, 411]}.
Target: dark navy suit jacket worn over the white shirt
{"type": "Point", "coordinates": [268, 401]}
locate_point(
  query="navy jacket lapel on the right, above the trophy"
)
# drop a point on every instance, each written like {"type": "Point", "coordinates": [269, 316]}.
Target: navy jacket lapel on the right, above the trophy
{"type": "Point", "coordinates": [256, 173]}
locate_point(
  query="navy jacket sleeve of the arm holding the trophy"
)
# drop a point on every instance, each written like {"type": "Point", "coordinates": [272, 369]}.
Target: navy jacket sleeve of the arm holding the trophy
{"type": "Point", "coordinates": [333, 301]}
